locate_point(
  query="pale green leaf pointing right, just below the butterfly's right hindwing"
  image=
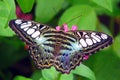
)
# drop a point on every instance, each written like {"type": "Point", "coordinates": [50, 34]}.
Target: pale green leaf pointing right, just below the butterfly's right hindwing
{"type": "Point", "coordinates": [84, 71]}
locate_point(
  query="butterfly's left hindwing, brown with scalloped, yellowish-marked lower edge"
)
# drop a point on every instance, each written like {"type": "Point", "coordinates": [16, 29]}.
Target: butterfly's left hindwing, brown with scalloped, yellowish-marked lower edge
{"type": "Point", "coordinates": [41, 58]}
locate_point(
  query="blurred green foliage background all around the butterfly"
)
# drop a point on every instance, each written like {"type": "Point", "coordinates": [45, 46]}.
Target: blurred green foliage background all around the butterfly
{"type": "Point", "coordinates": [102, 15]}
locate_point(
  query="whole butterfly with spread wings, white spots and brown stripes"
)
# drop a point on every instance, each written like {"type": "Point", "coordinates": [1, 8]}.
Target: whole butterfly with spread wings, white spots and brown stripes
{"type": "Point", "coordinates": [63, 50]}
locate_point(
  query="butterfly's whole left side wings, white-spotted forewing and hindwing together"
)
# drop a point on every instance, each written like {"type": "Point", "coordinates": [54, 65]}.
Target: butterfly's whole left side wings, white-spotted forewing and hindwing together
{"type": "Point", "coordinates": [31, 33]}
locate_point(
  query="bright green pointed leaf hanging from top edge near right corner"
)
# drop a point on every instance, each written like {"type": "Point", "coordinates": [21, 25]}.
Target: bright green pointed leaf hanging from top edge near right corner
{"type": "Point", "coordinates": [107, 4]}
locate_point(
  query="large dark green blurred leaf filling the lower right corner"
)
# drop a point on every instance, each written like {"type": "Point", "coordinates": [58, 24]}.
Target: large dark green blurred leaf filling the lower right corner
{"type": "Point", "coordinates": [105, 65]}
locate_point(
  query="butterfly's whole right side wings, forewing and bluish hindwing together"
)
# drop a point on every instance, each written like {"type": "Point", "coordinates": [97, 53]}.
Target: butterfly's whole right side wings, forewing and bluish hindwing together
{"type": "Point", "coordinates": [86, 43]}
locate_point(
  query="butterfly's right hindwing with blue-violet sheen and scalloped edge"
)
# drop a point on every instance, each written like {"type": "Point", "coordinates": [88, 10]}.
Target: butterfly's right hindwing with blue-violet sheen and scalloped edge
{"type": "Point", "coordinates": [67, 61]}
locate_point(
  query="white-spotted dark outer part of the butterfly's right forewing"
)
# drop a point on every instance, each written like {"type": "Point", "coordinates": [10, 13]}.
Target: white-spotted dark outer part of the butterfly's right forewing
{"type": "Point", "coordinates": [91, 41]}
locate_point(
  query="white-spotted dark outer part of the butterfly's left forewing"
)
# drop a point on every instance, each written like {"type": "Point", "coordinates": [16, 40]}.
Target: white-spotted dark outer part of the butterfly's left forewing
{"type": "Point", "coordinates": [27, 30]}
